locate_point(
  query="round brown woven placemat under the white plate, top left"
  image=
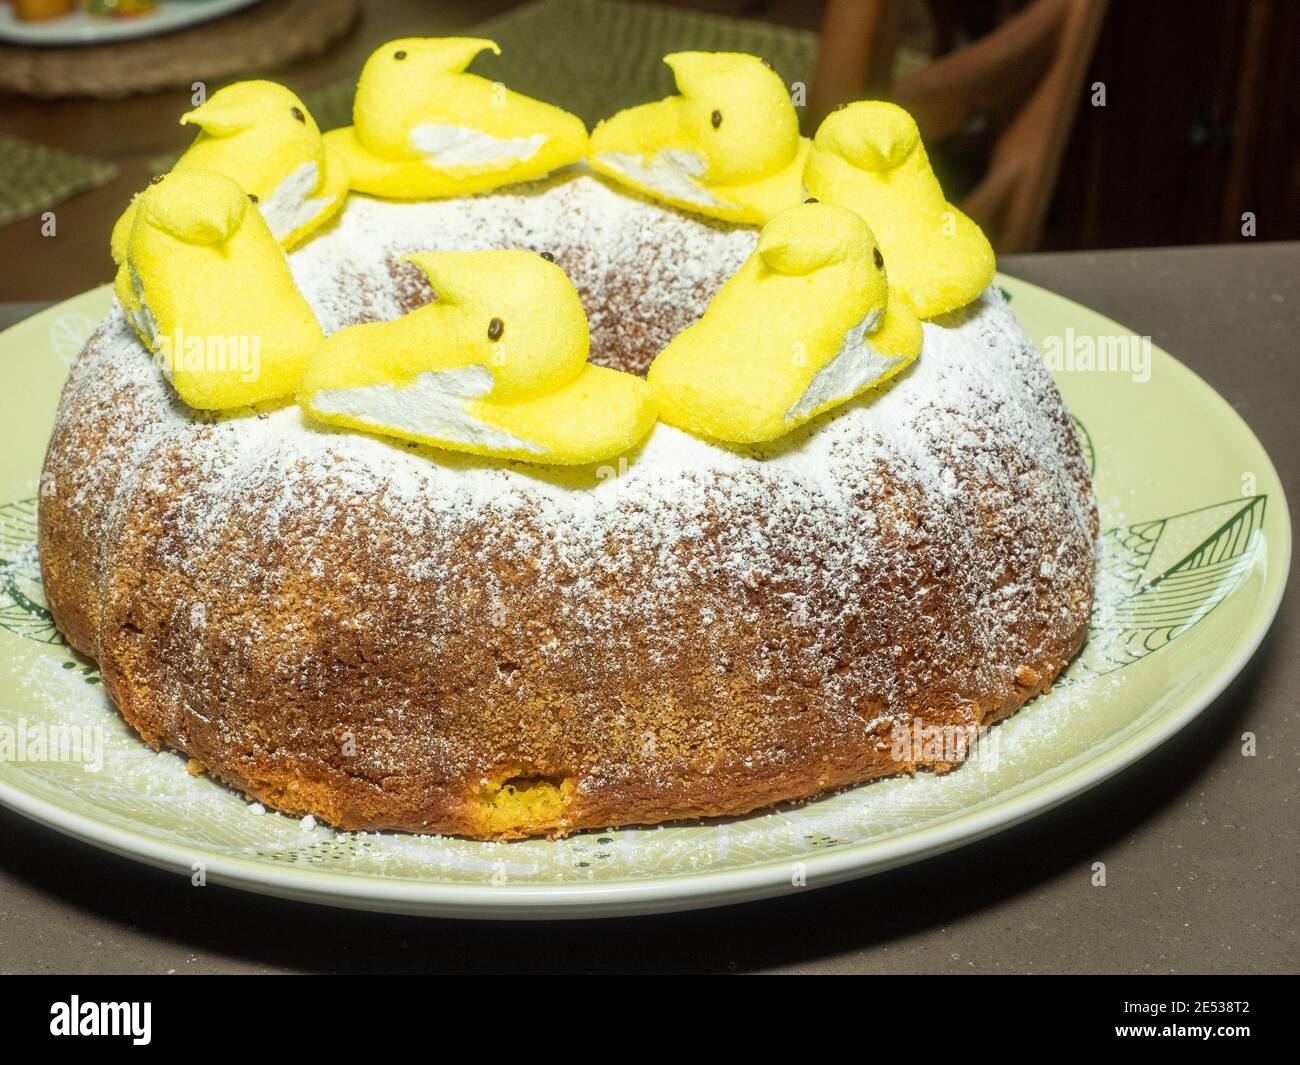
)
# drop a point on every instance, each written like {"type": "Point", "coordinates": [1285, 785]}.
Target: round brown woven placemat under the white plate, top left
{"type": "Point", "coordinates": [259, 38]}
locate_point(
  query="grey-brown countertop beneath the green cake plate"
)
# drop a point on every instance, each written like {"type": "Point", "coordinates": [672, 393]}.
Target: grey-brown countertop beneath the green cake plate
{"type": "Point", "coordinates": [1202, 846]}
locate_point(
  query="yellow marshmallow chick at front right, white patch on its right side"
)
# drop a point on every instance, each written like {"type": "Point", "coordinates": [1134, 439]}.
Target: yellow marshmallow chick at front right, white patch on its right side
{"type": "Point", "coordinates": [808, 323]}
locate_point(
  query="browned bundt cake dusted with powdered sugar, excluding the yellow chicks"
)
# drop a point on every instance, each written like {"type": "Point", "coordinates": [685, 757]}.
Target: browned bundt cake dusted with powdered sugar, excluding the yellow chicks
{"type": "Point", "coordinates": [388, 634]}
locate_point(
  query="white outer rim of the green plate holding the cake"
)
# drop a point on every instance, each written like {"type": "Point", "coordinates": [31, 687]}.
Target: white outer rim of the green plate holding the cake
{"type": "Point", "coordinates": [695, 890]}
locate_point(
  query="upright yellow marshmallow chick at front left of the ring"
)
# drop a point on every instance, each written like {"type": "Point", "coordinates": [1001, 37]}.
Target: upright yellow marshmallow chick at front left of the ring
{"type": "Point", "coordinates": [209, 289]}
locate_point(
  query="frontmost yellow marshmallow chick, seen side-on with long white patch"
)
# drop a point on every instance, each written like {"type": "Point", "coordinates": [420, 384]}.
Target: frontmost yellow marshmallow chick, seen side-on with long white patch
{"type": "Point", "coordinates": [495, 366]}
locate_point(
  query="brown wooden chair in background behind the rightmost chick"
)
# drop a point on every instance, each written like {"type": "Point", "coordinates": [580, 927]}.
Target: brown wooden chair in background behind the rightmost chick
{"type": "Point", "coordinates": [1026, 76]}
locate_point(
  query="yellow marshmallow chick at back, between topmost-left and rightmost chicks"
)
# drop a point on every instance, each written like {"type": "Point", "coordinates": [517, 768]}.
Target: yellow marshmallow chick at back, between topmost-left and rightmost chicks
{"type": "Point", "coordinates": [727, 146]}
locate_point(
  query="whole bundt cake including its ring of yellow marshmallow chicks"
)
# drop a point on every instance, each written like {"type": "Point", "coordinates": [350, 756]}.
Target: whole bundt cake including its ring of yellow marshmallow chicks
{"type": "Point", "coordinates": [461, 471]}
